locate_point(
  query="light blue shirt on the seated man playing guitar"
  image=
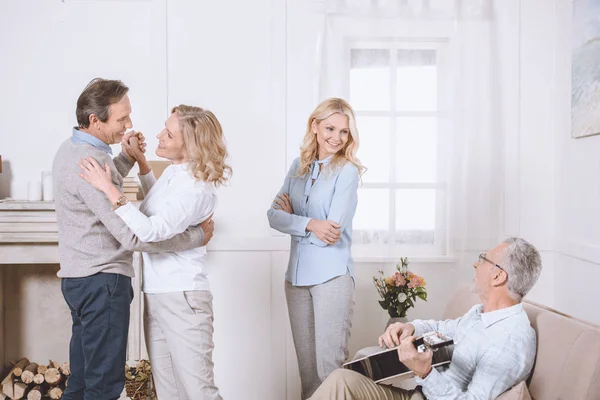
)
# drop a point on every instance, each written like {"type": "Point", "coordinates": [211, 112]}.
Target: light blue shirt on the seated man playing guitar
{"type": "Point", "coordinates": [493, 351]}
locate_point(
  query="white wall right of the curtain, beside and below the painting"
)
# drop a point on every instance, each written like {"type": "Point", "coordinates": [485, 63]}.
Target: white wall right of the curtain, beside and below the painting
{"type": "Point", "coordinates": [558, 186]}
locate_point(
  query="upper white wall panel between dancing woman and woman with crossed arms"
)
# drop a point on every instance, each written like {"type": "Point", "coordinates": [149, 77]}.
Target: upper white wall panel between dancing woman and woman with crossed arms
{"type": "Point", "coordinates": [224, 60]}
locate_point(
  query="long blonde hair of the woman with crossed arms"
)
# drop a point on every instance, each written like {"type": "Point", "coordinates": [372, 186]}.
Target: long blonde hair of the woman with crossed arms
{"type": "Point", "coordinates": [310, 147]}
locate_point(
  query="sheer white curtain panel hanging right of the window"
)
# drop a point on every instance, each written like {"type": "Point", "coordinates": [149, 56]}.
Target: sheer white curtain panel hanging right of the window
{"type": "Point", "coordinates": [478, 156]}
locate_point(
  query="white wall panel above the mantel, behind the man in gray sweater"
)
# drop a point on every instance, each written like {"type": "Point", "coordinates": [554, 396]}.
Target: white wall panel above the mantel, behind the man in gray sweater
{"type": "Point", "coordinates": [50, 51]}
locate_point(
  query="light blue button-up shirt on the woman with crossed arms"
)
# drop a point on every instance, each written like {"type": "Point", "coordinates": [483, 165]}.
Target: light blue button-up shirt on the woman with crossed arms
{"type": "Point", "coordinates": [332, 196]}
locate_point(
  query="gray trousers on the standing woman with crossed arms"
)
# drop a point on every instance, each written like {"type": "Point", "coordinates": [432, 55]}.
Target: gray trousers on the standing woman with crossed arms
{"type": "Point", "coordinates": [321, 318]}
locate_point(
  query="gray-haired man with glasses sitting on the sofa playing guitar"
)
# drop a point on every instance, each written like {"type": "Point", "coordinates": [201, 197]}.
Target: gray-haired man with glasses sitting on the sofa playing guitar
{"type": "Point", "coordinates": [495, 345]}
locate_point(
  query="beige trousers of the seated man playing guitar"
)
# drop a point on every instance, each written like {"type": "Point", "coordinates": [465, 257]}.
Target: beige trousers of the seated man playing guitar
{"type": "Point", "coordinates": [344, 384]}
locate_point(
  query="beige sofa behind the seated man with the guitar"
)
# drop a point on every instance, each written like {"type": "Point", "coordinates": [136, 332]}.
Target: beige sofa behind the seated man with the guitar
{"type": "Point", "coordinates": [567, 365]}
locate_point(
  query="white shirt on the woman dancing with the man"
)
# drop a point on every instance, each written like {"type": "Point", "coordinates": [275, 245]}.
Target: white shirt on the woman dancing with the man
{"type": "Point", "coordinates": [172, 203]}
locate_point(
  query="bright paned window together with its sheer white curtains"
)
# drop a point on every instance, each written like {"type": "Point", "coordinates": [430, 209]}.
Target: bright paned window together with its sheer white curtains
{"type": "Point", "coordinates": [422, 76]}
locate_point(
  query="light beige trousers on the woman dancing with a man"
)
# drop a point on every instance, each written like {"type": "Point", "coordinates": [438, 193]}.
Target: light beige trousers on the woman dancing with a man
{"type": "Point", "coordinates": [179, 330]}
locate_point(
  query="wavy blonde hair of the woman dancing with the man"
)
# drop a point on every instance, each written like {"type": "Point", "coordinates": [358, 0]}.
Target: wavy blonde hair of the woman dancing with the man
{"type": "Point", "coordinates": [204, 144]}
